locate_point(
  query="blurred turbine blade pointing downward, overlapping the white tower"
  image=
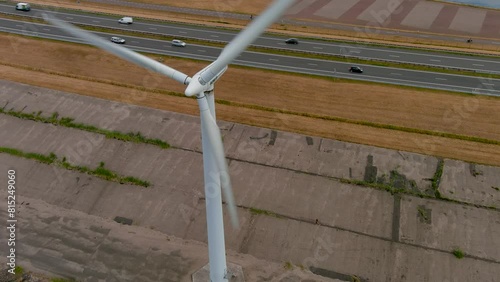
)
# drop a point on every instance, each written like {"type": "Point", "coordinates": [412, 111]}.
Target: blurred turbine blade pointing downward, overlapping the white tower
{"type": "Point", "coordinates": [212, 133]}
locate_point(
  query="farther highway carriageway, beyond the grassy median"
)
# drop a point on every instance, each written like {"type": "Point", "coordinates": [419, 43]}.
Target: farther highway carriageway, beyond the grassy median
{"type": "Point", "coordinates": [488, 65]}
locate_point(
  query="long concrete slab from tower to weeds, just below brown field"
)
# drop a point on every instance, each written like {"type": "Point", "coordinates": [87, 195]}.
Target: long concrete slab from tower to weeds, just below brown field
{"type": "Point", "coordinates": [326, 157]}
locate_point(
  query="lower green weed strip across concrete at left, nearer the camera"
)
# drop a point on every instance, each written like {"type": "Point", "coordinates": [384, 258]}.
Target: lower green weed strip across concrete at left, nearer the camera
{"type": "Point", "coordinates": [100, 171]}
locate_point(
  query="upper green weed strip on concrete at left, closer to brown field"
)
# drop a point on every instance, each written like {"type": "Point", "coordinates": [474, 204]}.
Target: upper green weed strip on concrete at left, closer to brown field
{"type": "Point", "coordinates": [68, 122]}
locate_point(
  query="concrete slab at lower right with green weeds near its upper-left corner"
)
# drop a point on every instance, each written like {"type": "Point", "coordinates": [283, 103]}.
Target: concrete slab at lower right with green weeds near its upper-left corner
{"type": "Point", "coordinates": [446, 226]}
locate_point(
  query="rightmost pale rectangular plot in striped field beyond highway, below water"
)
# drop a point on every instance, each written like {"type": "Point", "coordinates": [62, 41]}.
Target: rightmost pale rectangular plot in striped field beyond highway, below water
{"type": "Point", "coordinates": [468, 20]}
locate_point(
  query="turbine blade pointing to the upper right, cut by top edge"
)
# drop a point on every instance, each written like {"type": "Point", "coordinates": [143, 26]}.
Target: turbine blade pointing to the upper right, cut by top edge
{"type": "Point", "coordinates": [246, 37]}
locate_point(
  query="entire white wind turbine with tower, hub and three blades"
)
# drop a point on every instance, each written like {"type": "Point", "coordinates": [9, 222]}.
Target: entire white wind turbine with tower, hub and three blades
{"type": "Point", "coordinates": [201, 85]}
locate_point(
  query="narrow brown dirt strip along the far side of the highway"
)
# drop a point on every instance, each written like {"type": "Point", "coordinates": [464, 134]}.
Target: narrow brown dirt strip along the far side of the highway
{"type": "Point", "coordinates": [255, 7]}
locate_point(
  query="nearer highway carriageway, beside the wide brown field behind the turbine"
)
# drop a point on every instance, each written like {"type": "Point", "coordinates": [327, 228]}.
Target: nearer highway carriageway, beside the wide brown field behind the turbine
{"type": "Point", "coordinates": [460, 83]}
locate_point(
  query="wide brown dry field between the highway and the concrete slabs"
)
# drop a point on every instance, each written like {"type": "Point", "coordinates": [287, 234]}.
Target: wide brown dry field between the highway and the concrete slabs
{"type": "Point", "coordinates": [466, 115]}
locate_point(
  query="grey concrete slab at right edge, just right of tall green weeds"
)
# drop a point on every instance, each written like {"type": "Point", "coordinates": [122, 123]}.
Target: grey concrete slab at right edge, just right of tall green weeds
{"type": "Point", "coordinates": [471, 183]}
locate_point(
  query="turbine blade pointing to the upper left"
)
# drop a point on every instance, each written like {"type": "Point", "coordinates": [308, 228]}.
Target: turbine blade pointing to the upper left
{"type": "Point", "coordinates": [119, 51]}
